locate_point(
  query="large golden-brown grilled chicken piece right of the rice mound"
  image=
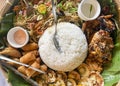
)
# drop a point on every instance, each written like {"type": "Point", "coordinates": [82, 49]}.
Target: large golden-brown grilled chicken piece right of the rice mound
{"type": "Point", "coordinates": [100, 47]}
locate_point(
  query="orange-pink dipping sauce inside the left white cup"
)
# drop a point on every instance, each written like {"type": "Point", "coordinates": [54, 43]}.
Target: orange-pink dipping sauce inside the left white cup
{"type": "Point", "coordinates": [20, 37]}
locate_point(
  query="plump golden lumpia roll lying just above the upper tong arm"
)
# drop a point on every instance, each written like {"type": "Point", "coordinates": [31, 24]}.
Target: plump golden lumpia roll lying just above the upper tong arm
{"type": "Point", "coordinates": [28, 58]}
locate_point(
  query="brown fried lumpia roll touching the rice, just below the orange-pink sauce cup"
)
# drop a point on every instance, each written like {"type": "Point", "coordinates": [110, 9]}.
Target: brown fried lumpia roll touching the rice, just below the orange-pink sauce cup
{"type": "Point", "coordinates": [30, 47]}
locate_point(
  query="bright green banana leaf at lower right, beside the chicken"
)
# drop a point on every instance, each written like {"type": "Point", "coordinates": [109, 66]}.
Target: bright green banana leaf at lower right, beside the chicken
{"type": "Point", "coordinates": [111, 71]}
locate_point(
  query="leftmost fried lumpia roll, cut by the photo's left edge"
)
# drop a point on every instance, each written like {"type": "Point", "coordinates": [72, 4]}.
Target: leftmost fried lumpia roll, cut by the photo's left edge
{"type": "Point", "coordinates": [12, 52]}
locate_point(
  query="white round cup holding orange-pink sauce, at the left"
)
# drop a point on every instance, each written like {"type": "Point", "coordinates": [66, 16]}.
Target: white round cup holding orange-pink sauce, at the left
{"type": "Point", "coordinates": [17, 37]}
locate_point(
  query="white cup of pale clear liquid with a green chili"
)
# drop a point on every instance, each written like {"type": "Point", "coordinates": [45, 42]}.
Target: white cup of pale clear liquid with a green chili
{"type": "Point", "coordinates": [89, 9]}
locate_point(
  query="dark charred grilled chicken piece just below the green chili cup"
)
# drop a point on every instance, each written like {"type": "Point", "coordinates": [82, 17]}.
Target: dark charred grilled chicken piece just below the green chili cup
{"type": "Point", "coordinates": [103, 22]}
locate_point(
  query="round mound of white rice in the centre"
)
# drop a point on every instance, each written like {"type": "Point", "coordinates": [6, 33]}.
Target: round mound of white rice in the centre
{"type": "Point", "coordinates": [73, 45]}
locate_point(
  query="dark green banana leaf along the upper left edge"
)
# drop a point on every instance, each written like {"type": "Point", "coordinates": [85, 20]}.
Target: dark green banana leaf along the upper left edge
{"type": "Point", "coordinates": [6, 24]}
